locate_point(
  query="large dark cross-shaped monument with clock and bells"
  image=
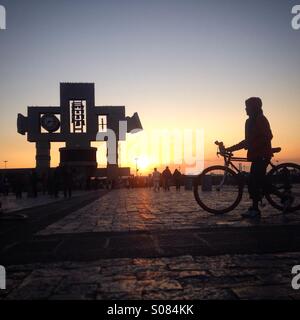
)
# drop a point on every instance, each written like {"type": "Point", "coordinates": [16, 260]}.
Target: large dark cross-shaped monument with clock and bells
{"type": "Point", "coordinates": [77, 122]}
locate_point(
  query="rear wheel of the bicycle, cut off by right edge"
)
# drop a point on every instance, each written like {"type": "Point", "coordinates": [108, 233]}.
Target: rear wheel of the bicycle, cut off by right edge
{"type": "Point", "coordinates": [285, 178]}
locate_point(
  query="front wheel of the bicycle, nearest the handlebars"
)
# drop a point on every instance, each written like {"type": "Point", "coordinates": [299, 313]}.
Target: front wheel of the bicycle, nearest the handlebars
{"type": "Point", "coordinates": [218, 189]}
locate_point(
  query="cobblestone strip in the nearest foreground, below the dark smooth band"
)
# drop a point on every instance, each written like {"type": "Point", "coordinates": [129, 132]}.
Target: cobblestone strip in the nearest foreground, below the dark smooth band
{"type": "Point", "coordinates": [184, 277]}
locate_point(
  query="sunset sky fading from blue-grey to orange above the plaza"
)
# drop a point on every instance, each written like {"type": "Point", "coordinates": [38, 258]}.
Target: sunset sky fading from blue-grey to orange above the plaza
{"type": "Point", "coordinates": [181, 64]}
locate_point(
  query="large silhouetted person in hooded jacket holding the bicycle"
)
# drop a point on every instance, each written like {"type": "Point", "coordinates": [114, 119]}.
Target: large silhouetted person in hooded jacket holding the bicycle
{"type": "Point", "coordinates": [258, 136]}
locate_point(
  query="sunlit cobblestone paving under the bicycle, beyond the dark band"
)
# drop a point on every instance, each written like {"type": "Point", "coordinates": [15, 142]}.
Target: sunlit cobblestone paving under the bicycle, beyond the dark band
{"type": "Point", "coordinates": [142, 209]}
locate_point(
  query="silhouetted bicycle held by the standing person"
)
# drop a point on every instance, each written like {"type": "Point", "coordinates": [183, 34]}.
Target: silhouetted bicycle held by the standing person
{"type": "Point", "coordinates": [219, 189]}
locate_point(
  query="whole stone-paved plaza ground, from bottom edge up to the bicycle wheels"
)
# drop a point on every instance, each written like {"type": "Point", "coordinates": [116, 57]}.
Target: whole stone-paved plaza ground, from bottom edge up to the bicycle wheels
{"type": "Point", "coordinates": [137, 244]}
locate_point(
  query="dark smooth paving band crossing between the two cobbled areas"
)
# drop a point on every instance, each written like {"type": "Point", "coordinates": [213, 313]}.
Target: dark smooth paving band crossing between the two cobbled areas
{"type": "Point", "coordinates": [140, 244]}
